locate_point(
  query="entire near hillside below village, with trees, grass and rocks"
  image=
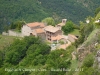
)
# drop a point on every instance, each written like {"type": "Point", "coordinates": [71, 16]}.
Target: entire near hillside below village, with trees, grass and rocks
{"type": "Point", "coordinates": [32, 56]}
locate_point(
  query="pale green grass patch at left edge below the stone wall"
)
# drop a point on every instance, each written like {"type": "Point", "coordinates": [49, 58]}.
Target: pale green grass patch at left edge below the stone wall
{"type": "Point", "coordinates": [6, 40]}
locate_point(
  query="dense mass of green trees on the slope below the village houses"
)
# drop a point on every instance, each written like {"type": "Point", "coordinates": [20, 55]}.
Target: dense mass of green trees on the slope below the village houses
{"type": "Point", "coordinates": [30, 53]}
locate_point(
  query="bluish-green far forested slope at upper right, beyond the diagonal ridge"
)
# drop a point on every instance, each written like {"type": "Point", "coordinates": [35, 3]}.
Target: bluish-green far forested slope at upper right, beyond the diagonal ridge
{"type": "Point", "coordinates": [71, 8]}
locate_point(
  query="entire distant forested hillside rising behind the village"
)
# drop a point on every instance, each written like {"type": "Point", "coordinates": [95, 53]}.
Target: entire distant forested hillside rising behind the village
{"type": "Point", "coordinates": [36, 10]}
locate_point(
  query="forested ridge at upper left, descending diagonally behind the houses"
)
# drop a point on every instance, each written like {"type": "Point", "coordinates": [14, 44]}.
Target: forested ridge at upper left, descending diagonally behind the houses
{"type": "Point", "coordinates": [14, 10]}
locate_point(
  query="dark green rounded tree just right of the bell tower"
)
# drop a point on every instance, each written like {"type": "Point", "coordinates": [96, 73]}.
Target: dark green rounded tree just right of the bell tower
{"type": "Point", "coordinates": [69, 26]}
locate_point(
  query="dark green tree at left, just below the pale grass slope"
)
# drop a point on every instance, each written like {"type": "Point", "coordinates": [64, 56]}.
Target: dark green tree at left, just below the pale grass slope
{"type": "Point", "coordinates": [16, 52]}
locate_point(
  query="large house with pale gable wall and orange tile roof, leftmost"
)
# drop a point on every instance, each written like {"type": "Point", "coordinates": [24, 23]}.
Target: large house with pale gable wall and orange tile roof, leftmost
{"type": "Point", "coordinates": [32, 28]}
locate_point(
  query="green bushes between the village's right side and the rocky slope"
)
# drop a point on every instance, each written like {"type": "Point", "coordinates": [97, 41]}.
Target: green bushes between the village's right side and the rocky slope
{"type": "Point", "coordinates": [85, 30]}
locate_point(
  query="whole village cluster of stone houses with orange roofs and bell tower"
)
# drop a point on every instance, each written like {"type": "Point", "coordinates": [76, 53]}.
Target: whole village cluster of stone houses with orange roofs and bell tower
{"type": "Point", "coordinates": [51, 34]}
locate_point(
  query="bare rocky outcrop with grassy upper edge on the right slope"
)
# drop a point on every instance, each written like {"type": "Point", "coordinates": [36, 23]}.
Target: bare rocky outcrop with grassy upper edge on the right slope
{"type": "Point", "coordinates": [89, 45]}
